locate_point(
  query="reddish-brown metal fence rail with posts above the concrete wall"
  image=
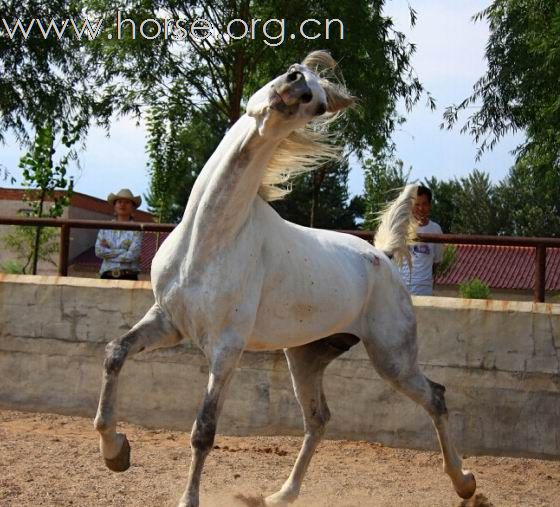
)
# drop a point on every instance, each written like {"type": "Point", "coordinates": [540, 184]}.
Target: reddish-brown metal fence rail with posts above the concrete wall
{"type": "Point", "coordinates": [539, 244]}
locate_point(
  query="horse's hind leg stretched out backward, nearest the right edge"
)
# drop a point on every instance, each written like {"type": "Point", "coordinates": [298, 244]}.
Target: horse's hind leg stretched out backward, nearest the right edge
{"type": "Point", "coordinates": [397, 364]}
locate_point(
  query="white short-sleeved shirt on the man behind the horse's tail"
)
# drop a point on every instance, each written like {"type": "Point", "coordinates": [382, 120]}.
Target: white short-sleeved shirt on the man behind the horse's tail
{"type": "Point", "coordinates": [424, 256]}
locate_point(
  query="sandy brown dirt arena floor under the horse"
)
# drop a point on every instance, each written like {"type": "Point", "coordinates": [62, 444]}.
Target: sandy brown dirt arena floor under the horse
{"type": "Point", "coordinates": [51, 460]}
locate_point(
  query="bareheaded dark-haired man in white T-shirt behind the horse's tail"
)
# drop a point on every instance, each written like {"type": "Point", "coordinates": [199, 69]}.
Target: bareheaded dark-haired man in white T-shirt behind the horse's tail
{"type": "Point", "coordinates": [425, 256]}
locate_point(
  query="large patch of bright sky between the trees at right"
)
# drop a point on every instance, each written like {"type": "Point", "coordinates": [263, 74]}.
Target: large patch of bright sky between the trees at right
{"type": "Point", "coordinates": [449, 60]}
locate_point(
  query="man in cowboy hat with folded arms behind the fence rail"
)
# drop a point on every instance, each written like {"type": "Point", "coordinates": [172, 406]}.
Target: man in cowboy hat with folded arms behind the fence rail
{"type": "Point", "coordinates": [120, 250]}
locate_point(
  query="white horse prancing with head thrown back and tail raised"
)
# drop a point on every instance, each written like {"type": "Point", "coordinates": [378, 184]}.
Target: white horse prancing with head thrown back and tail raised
{"type": "Point", "coordinates": [234, 276]}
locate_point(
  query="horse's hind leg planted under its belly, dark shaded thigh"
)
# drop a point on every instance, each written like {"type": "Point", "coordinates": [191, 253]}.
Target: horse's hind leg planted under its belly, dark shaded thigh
{"type": "Point", "coordinates": [307, 365]}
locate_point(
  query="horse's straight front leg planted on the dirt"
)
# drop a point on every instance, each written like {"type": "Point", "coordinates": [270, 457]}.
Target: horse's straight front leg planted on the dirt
{"type": "Point", "coordinates": [223, 360]}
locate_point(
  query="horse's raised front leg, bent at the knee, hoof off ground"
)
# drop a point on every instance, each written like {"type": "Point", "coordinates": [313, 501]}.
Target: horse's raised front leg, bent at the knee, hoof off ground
{"type": "Point", "coordinates": [153, 331]}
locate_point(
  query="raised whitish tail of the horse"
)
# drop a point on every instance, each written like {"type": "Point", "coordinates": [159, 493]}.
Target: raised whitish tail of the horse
{"type": "Point", "coordinates": [397, 226]}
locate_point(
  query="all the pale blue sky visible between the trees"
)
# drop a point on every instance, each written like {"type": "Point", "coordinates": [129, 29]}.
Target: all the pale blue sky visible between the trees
{"type": "Point", "coordinates": [449, 59]}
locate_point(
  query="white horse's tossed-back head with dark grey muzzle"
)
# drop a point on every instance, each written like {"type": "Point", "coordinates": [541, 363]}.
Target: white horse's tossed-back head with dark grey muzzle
{"type": "Point", "coordinates": [298, 96]}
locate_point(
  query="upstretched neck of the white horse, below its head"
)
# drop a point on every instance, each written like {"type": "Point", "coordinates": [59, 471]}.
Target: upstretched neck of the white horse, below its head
{"type": "Point", "coordinates": [226, 188]}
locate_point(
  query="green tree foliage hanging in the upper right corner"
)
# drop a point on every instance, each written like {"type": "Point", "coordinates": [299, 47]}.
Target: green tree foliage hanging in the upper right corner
{"type": "Point", "coordinates": [519, 89]}
